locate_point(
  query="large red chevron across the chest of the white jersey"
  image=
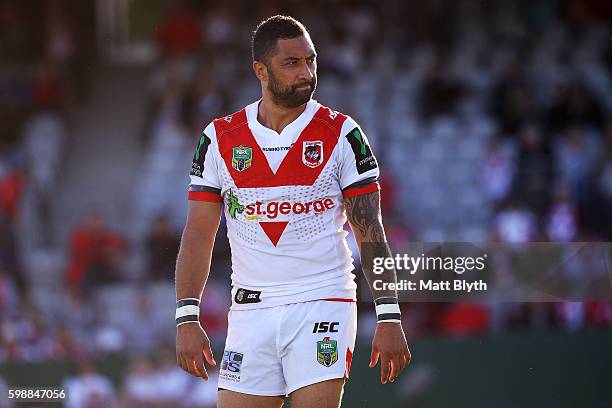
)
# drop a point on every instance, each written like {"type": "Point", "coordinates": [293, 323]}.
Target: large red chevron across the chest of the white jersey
{"type": "Point", "coordinates": [319, 139]}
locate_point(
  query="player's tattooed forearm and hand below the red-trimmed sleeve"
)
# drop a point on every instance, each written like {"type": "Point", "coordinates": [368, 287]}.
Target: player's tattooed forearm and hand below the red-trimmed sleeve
{"type": "Point", "coordinates": [389, 343]}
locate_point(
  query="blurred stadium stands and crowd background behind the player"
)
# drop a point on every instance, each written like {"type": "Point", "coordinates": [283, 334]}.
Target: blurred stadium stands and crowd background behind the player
{"type": "Point", "coordinates": [492, 121]}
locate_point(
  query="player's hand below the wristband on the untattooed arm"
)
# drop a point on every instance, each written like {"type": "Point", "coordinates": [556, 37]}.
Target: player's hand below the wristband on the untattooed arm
{"type": "Point", "coordinates": [192, 346]}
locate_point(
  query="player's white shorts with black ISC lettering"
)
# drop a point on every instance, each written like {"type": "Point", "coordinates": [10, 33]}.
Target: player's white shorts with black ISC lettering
{"type": "Point", "coordinates": [276, 350]}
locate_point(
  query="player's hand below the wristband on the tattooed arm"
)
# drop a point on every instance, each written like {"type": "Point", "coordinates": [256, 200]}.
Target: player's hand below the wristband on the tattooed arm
{"type": "Point", "coordinates": [390, 345]}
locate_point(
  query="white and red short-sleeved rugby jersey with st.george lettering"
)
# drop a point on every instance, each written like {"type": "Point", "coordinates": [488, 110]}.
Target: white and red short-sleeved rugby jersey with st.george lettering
{"type": "Point", "coordinates": [283, 201]}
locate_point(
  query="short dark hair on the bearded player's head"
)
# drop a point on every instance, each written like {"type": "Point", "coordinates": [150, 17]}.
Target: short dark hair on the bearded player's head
{"type": "Point", "coordinates": [270, 30]}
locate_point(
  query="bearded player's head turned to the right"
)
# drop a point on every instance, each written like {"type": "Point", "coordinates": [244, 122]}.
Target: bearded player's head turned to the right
{"type": "Point", "coordinates": [284, 60]}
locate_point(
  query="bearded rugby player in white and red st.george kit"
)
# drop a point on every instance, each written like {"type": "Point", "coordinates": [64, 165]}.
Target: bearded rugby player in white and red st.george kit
{"type": "Point", "coordinates": [290, 172]}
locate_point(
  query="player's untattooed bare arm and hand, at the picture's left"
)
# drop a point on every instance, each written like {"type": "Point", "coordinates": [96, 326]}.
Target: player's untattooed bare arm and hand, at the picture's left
{"type": "Point", "coordinates": [192, 268]}
